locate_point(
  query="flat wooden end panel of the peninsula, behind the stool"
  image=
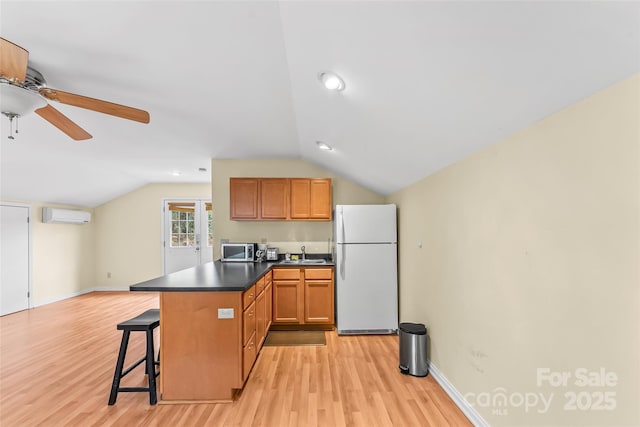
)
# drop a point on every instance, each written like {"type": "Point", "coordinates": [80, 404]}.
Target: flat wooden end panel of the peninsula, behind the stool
{"type": "Point", "coordinates": [200, 354]}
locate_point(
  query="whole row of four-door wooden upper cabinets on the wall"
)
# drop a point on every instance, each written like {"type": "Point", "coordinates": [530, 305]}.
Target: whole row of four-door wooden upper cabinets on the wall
{"type": "Point", "coordinates": [280, 199]}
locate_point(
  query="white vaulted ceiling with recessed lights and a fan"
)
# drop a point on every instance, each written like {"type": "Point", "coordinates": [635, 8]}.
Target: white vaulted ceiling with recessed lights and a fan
{"type": "Point", "coordinates": [428, 83]}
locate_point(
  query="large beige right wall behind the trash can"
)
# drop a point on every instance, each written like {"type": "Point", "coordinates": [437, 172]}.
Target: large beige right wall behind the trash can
{"type": "Point", "coordinates": [530, 260]}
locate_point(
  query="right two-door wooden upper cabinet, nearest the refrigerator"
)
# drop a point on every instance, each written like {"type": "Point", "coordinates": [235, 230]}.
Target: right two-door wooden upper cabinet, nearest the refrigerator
{"type": "Point", "coordinates": [311, 198]}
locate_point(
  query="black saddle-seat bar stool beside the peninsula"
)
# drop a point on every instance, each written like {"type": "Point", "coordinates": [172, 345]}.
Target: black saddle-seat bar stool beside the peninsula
{"type": "Point", "coordinates": [145, 322]}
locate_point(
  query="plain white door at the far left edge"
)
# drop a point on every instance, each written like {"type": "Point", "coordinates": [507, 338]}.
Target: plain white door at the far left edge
{"type": "Point", "coordinates": [14, 258]}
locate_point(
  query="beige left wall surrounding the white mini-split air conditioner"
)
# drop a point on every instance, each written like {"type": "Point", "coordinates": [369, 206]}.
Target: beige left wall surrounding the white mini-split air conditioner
{"type": "Point", "coordinates": [62, 256]}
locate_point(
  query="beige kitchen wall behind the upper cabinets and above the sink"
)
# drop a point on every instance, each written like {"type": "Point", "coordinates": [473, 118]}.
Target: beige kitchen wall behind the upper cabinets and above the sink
{"type": "Point", "coordinates": [284, 234]}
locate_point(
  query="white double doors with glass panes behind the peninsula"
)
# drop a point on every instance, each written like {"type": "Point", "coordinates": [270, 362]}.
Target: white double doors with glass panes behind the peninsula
{"type": "Point", "coordinates": [188, 234]}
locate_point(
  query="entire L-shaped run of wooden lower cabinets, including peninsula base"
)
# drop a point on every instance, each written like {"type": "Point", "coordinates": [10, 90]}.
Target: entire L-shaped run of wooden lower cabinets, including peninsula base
{"type": "Point", "coordinates": [210, 340]}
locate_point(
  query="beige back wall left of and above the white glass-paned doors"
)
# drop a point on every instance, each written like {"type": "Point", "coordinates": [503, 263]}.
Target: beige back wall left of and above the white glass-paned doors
{"type": "Point", "coordinates": [129, 233]}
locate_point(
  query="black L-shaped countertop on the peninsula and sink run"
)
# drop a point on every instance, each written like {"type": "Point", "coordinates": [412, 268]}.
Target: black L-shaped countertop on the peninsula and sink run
{"type": "Point", "coordinates": [214, 277]}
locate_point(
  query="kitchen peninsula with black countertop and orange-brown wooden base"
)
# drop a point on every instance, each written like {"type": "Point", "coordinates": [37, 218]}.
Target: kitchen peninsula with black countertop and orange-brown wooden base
{"type": "Point", "coordinates": [213, 321]}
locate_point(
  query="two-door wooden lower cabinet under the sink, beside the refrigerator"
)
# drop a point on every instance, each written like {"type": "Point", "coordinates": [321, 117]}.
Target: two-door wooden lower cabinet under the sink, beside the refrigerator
{"type": "Point", "coordinates": [303, 296]}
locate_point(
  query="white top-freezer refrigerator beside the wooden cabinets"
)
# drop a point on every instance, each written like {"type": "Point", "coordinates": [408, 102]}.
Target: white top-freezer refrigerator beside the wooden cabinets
{"type": "Point", "coordinates": [366, 269]}
